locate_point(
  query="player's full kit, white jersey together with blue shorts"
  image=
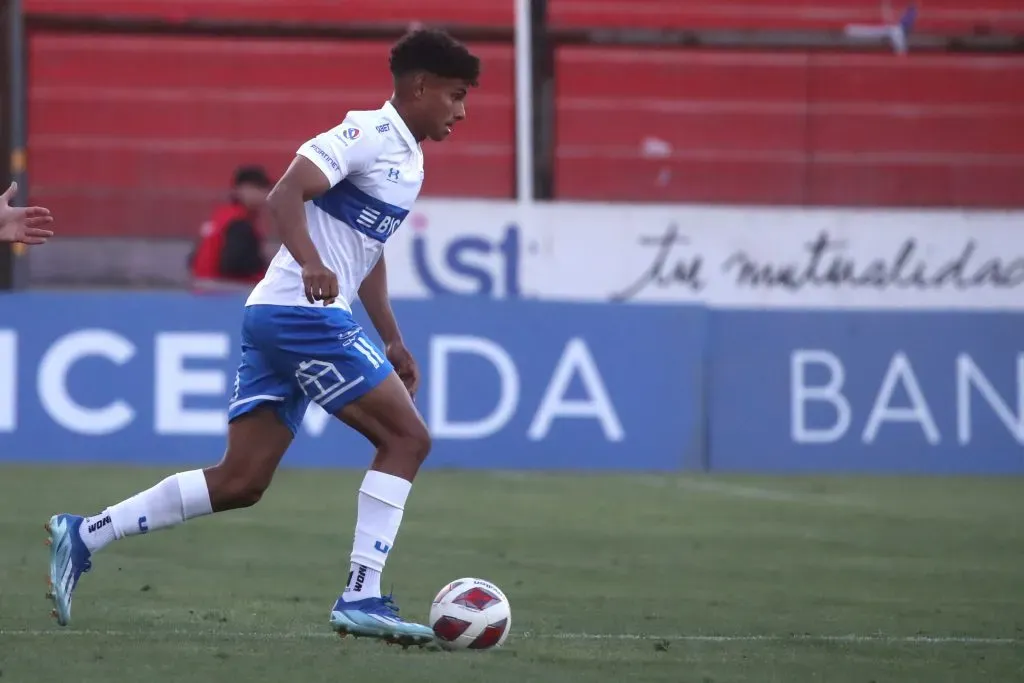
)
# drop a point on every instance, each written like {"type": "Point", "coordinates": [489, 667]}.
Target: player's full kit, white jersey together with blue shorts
{"type": "Point", "coordinates": [294, 352]}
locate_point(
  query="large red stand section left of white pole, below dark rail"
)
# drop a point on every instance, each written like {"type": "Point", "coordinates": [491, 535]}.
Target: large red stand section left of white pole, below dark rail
{"type": "Point", "coordinates": [122, 127]}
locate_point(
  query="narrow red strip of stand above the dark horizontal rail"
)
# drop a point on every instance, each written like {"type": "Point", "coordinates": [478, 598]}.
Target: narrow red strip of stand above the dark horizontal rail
{"type": "Point", "coordinates": [946, 16]}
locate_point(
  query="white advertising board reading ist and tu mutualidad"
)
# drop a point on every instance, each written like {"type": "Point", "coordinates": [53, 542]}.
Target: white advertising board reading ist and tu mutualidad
{"type": "Point", "coordinates": [743, 258]}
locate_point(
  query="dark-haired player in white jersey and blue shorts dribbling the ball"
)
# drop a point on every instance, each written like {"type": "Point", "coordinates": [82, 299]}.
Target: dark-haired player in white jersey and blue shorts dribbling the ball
{"type": "Point", "coordinates": [346, 193]}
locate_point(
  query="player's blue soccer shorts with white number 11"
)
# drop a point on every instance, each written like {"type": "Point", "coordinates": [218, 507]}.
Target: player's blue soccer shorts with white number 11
{"type": "Point", "coordinates": [295, 355]}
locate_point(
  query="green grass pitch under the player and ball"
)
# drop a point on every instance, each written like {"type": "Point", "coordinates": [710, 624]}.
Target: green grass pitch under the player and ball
{"type": "Point", "coordinates": [610, 578]}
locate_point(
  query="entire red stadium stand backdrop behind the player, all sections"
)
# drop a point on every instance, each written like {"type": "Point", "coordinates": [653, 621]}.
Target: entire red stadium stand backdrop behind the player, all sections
{"type": "Point", "coordinates": [139, 136]}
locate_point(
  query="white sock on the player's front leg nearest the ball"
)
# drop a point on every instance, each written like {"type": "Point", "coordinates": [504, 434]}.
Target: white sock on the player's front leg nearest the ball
{"type": "Point", "coordinates": [381, 505]}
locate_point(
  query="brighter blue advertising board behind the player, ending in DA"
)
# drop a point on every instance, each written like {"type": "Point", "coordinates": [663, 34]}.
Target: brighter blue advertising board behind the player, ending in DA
{"type": "Point", "coordinates": [146, 378]}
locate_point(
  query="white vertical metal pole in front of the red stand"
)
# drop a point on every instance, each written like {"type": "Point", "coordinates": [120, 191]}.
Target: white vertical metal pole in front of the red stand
{"type": "Point", "coordinates": [524, 102]}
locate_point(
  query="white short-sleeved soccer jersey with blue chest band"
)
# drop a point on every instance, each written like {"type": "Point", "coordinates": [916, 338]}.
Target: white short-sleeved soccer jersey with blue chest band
{"type": "Point", "coordinates": [376, 170]}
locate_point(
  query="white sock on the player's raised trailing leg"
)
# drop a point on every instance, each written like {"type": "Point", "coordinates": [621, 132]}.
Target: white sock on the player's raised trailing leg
{"type": "Point", "coordinates": [175, 500]}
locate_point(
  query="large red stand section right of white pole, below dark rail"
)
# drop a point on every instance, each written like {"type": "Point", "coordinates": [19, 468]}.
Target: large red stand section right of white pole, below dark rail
{"type": "Point", "coordinates": [789, 129]}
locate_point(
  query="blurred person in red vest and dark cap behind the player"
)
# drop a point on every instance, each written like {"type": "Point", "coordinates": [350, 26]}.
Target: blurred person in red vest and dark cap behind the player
{"type": "Point", "coordinates": [230, 254]}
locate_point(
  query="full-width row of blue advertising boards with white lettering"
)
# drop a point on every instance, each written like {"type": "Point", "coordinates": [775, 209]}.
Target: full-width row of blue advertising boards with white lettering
{"type": "Point", "coordinates": [521, 385]}
